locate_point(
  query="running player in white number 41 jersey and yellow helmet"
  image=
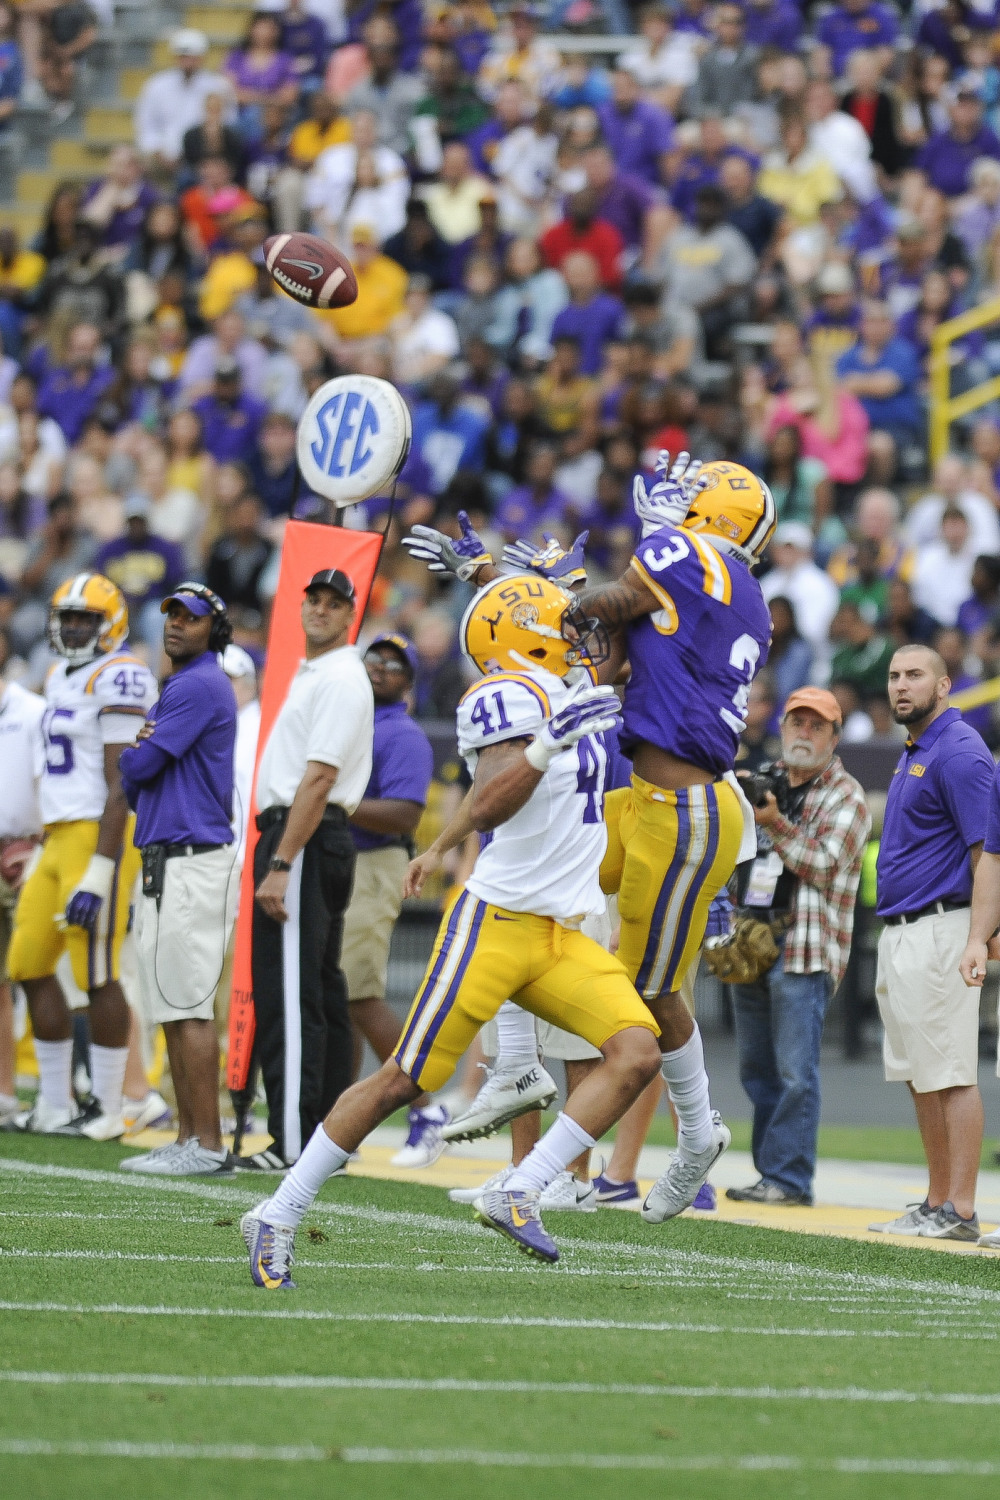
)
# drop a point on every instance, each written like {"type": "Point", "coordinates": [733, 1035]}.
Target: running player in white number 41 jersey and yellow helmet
{"type": "Point", "coordinates": [533, 742]}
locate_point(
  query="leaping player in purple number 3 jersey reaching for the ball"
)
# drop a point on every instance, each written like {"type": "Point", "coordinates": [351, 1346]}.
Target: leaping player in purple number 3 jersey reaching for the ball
{"type": "Point", "coordinates": [693, 625]}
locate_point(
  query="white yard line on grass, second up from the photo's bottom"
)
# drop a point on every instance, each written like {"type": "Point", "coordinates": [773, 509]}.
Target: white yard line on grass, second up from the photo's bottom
{"type": "Point", "coordinates": [560, 1388]}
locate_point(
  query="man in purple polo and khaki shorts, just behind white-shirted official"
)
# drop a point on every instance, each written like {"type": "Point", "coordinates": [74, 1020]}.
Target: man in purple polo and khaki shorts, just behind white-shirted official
{"type": "Point", "coordinates": [383, 826]}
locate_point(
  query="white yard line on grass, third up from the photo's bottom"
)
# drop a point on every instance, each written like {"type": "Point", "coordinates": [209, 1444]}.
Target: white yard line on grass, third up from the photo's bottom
{"type": "Point", "coordinates": [470, 1321]}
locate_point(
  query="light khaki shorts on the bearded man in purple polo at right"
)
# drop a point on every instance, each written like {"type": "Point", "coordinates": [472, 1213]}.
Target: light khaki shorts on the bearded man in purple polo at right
{"type": "Point", "coordinates": [932, 1018]}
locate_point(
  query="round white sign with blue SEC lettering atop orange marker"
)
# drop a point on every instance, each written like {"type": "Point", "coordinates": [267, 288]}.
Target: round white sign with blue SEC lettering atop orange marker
{"type": "Point", "coordinates": [353, 439]}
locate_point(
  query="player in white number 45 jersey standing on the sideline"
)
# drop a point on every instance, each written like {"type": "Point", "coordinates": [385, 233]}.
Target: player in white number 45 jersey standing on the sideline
{"type": "Point", "coordinates": [77, 895]}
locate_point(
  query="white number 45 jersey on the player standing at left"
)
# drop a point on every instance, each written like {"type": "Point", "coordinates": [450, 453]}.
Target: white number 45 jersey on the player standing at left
{"type": "Point", "coordinates": [89, 707]}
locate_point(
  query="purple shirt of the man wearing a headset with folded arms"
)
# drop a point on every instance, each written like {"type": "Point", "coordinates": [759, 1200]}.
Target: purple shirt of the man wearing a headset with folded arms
{"type": "Point", "coordinates": [181, 781]}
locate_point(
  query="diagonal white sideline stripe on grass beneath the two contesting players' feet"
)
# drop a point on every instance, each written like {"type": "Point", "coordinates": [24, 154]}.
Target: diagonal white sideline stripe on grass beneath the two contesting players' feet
{"type": "Point", "coordinates": [439, 1225]}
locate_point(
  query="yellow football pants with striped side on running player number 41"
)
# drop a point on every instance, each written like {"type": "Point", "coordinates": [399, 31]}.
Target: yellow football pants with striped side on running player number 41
{"type": "Point", "coordinates": [485, 956]}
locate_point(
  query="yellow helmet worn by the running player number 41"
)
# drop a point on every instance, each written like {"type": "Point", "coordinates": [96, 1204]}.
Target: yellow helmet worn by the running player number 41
{"type": "Point", "coordinates": [525, 622]}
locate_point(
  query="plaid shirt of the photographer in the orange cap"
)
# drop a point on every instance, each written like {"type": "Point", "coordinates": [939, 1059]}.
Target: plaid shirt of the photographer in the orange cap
{"type": "Point", "coordinates": [825, 850]}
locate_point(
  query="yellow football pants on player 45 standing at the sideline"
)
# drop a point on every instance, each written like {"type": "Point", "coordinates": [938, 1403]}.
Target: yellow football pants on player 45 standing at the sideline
{"type": "Point", "coordinates": [38, 937]}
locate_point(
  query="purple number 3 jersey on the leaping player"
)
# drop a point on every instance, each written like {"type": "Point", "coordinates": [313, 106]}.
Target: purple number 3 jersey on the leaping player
{"type": "Point", "coordinates": [693, 659]}
